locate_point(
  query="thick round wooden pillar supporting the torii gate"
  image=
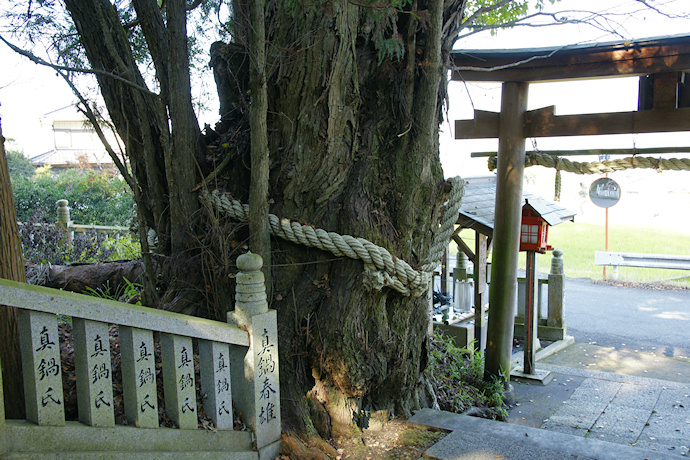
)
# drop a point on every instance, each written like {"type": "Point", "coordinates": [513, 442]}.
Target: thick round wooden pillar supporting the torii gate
{"type": "Point", "coordinates": [510, 173]}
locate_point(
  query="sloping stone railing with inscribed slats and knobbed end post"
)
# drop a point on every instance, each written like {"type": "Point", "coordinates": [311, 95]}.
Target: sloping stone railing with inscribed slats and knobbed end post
{"type": "Point", "coordinates": [238, 362]}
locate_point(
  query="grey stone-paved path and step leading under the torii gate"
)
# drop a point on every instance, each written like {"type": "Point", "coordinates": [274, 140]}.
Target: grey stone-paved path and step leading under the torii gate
{"type": "Point", "coordinates": [581, 413]}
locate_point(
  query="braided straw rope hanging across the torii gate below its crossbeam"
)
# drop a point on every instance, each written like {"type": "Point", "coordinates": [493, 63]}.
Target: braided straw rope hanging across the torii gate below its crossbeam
{"type": "Point", "coordinates": [606, 166]}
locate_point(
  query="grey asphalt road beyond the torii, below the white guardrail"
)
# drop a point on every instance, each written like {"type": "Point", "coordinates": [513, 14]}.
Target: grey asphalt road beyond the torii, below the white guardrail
{"type": "Point", "coordinates": [629, 318]}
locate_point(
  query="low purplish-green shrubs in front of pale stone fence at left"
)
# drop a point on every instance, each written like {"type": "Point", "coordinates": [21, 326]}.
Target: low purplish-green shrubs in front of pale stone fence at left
{"type": "Point", "coordinates": [41, 244]}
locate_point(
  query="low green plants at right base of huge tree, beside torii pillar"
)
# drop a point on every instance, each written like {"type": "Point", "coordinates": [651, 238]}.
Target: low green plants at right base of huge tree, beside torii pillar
{"type": "Point", "coordinates": [457, 377]}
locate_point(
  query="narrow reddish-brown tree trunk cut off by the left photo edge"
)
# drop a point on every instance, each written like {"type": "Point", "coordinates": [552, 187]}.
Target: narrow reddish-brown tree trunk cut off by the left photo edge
{"type": "Point", "coordinates": [11, 268]}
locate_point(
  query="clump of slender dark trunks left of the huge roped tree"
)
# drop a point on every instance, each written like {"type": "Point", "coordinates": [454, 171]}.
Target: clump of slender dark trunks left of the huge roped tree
{"type": "Point", "coordinates": [160, 131]}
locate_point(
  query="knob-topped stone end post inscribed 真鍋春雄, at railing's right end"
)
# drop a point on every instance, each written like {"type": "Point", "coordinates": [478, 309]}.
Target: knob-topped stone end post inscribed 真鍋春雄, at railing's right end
{"type": "Point", "coordinates": [256, 382]}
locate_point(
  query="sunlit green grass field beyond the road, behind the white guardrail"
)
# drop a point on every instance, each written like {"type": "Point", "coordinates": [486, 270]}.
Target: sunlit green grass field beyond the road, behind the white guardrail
{"type": "Point", "coordinates": [579, 241]}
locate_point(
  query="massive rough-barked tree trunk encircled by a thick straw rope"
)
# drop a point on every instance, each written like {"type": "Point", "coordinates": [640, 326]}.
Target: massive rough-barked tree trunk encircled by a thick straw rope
{"type": "Point", "coordinates": [354, 149]}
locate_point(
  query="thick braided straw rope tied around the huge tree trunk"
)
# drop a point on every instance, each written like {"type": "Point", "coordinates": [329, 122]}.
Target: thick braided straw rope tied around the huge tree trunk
{"type": "Point", "coordinates": [380, 267]}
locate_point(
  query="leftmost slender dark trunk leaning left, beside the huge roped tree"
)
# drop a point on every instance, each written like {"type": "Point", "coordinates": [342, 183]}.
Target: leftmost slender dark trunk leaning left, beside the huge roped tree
{"type": "Point", "coordinates": [140, 118]}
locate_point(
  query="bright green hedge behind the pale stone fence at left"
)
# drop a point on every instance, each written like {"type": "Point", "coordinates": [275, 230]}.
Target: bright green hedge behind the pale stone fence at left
{"type": "Point", "coordinates": [95, 198]}
